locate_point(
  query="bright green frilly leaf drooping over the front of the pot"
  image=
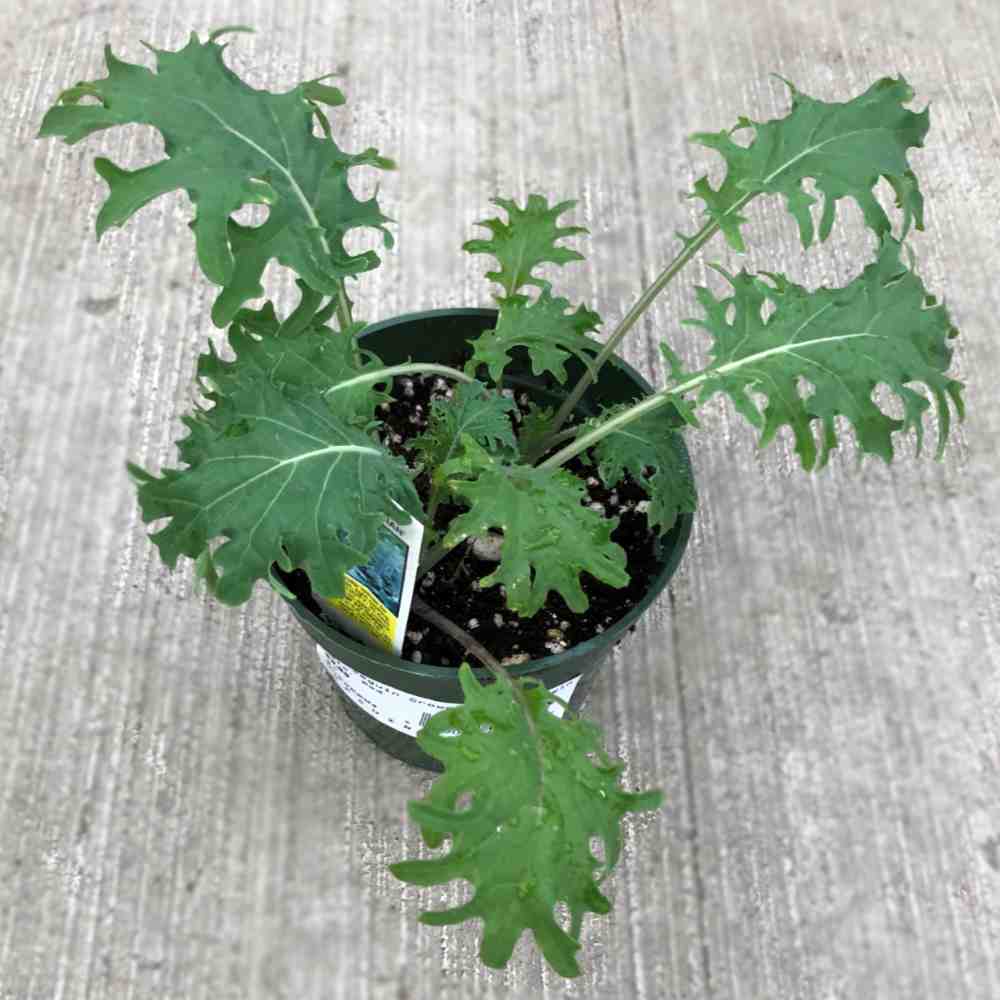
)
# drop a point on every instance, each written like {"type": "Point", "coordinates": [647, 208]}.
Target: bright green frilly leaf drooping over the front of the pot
{"type": "Point", "coordinates": [524, 842]}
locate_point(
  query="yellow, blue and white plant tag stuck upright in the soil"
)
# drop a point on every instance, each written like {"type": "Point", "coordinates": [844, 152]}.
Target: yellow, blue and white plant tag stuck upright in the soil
{"type": "Point", "coordinates": [375, 606]}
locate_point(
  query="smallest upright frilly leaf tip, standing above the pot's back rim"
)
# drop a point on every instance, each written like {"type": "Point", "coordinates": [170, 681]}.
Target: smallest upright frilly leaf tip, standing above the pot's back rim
{"type": "Point", "coordinates": [526, 240]}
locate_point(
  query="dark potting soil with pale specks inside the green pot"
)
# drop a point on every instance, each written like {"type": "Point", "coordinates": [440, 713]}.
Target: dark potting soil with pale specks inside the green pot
{"type": "Point", "coordinates": [452, 587]}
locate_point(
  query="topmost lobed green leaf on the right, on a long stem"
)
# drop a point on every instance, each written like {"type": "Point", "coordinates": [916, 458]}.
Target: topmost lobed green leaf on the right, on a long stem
{"type": "Point", "coordinates": [844, 147]}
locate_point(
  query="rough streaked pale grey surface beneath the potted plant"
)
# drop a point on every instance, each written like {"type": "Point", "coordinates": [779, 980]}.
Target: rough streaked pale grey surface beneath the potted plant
{"type": "Point", "coordinates": [186, 812]}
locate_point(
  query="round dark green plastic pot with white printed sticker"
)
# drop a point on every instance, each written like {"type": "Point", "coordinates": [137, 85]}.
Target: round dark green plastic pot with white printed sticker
{"type": "Point", "coordinates": [389, 698]}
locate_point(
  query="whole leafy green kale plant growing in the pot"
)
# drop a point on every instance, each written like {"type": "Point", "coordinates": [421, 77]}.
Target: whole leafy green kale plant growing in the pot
{"type": "Point", "coordinates": [284, 464]}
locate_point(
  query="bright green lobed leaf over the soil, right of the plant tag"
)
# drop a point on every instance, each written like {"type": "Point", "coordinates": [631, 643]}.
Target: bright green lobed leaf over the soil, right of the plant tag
{"type": "Point", "coordinates": [550, 537]}
